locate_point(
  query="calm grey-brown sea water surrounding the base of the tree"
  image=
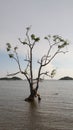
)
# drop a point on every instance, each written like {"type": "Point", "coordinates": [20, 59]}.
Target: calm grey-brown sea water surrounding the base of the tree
{"type": "Point", "coordinates": [54, 112]}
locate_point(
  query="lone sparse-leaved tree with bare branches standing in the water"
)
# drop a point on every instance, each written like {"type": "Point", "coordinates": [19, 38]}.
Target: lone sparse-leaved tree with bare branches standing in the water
{"type": "Point", "coordinates": [56, 45]}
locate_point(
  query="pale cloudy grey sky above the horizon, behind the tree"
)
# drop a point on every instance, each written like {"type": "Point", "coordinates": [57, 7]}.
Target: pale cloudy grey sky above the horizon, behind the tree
{"type": "Point", "coordinates": [53, 17]}
